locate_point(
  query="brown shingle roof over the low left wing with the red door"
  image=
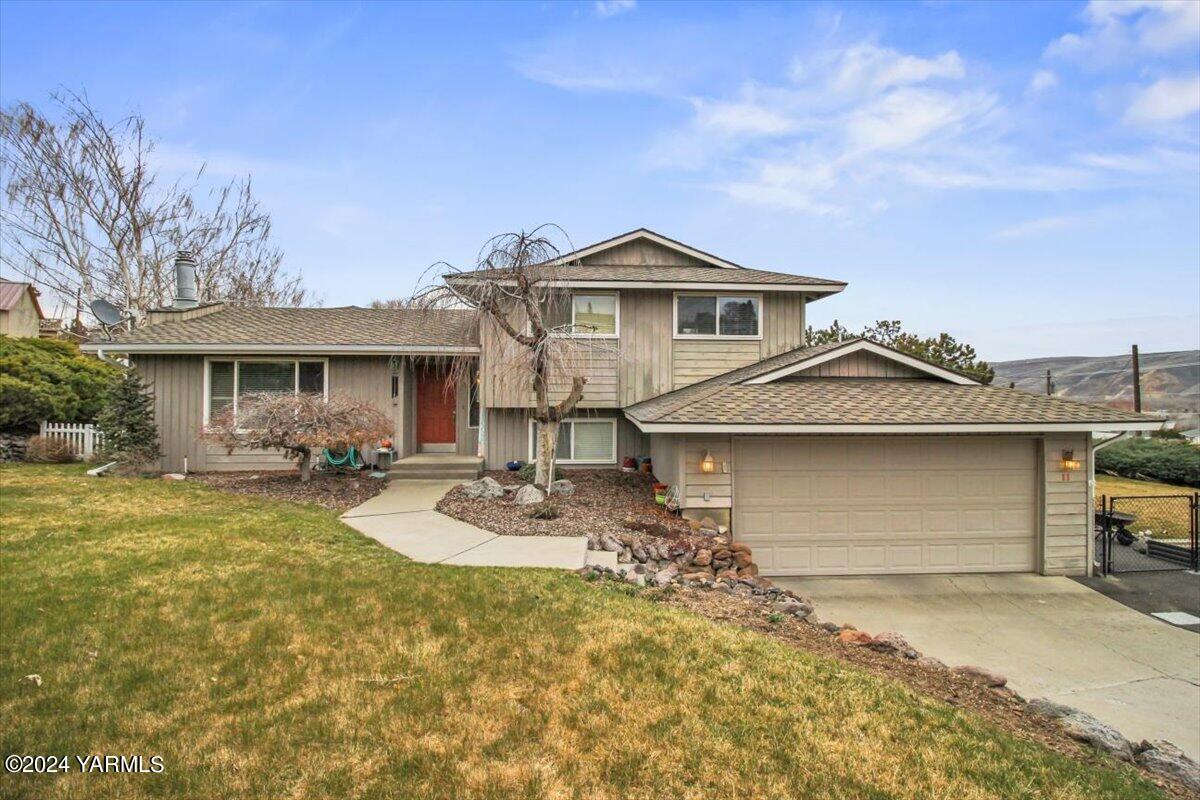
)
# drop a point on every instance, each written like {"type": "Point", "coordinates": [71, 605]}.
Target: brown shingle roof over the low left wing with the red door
{"type": "Point", "coordinates": [349, 326]}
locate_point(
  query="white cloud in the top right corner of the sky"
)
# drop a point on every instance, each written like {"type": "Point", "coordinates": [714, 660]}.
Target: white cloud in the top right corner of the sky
{"type": "Point", "coordinates": [1120, 31]}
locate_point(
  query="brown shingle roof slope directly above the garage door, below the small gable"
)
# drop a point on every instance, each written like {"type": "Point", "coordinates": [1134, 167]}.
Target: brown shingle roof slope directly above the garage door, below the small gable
{"type": "Point", "coordinates": [847, 401]}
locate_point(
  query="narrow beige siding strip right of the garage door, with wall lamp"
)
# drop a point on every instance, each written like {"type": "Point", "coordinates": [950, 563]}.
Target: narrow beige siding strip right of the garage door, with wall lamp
{"type": "Point", "coordinates": [1067, 510]}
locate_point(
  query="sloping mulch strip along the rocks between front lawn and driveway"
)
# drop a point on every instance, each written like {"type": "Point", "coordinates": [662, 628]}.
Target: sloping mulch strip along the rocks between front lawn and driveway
{"type": "Point", "coordinates": [1001, 707]}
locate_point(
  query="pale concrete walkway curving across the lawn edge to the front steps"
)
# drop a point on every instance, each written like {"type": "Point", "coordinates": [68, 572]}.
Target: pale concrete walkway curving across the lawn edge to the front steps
{"type": "Point", "coordinates": [403, 518]}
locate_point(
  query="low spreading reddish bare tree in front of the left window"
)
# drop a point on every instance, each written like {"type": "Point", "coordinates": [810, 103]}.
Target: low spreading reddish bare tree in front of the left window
{"type": "Point", "coordinates": [299, 425]}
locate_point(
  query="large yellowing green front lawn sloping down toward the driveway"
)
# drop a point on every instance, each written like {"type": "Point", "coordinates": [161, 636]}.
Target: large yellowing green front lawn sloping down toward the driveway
{"type": "Point", "coordinates": [237, 639]}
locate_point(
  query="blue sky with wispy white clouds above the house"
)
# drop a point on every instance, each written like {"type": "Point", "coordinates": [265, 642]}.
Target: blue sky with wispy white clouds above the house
{"type": "Point", "coordinates": [1024, 177]}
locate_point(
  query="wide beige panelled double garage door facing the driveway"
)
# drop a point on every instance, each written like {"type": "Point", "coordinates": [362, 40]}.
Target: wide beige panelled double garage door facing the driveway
{"type": "Point", "coordinates": [867, 506]}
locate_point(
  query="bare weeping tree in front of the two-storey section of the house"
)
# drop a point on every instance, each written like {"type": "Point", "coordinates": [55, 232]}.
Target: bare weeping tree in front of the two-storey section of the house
{"type": "Point", "coordinates": [518, 297]}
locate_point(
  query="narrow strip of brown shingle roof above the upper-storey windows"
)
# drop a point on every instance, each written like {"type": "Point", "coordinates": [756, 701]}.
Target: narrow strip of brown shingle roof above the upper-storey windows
{"type": "Point", "coordinates": [668, 275]}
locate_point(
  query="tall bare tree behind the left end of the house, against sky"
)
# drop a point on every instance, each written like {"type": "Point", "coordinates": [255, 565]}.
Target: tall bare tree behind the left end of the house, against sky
{"type": "Point", "coordinates": [87, 214]}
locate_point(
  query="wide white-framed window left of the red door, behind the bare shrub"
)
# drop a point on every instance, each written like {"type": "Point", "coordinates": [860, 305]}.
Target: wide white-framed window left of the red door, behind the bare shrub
{"type": "Point", "coordinates": [231, 381]}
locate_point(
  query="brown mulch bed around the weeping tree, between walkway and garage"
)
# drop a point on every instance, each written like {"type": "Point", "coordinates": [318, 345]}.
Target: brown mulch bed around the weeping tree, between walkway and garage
{"type": "Point", "coordinates": [603, 500]}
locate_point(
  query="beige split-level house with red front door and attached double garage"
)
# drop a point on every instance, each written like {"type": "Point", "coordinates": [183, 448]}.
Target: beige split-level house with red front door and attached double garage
{"type": "Point", "coordinates": [844, 459]}
